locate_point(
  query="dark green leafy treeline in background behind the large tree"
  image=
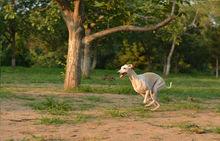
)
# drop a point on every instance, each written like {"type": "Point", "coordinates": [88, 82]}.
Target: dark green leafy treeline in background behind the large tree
{"type": "Point", "coordinates": [33, 33]}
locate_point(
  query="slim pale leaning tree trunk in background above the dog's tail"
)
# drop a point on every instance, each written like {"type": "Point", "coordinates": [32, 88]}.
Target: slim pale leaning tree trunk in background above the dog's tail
{"type": "Point", "coordinates": [169, 57]}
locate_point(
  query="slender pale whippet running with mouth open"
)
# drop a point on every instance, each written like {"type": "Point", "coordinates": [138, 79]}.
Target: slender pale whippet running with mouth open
{"type": "Point", "coordinates": [147, 84]}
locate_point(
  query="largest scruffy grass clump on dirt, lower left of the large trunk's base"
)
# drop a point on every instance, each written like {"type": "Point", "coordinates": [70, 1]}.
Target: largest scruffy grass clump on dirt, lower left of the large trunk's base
{"type": "Point", "coordinates": [52, 105]}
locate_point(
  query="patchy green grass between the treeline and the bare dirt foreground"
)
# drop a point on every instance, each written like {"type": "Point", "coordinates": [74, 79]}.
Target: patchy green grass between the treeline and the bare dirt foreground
{"type": "Point", "coordinates": [188, 92]}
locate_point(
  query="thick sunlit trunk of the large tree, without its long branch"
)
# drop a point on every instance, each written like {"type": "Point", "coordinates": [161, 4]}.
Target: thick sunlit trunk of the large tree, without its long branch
{"type": "Point", "coordinates": [76, 33]}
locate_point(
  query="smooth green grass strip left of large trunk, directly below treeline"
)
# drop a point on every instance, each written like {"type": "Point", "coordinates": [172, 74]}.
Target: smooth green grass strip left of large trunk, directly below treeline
{"type": "Point", "coordinates": [22, 75]}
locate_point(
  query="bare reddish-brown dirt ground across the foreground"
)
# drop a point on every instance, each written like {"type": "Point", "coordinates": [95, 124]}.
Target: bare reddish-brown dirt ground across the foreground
{"type": "Point", "coordinates": [18, 122]}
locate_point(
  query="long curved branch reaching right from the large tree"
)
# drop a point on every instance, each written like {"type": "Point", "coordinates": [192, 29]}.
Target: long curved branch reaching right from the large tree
{"type": "Point", "coordinates": [127, 28]}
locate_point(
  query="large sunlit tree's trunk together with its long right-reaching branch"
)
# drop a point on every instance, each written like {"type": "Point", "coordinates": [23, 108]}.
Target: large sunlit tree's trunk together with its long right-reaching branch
{"type": "Point", "coordinates": [74, 17]}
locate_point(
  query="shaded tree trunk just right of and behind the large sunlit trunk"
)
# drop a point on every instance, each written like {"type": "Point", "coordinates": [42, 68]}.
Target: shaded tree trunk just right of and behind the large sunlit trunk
{"type": "Point", "coordinates": [86, 63]}
